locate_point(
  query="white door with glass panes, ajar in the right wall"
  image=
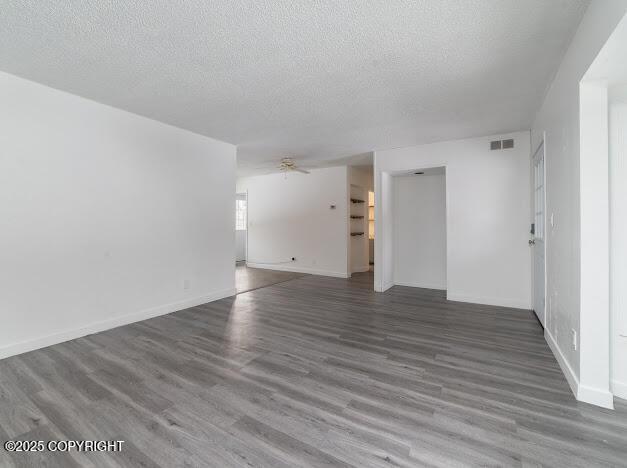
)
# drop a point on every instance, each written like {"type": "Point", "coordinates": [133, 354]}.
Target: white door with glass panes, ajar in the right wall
{"type": "Point", "coordinates": [538, 233]}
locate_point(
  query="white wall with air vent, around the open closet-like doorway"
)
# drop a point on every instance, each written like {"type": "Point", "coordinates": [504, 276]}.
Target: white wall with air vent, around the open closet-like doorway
{"type": "Point", "coordinates": [489, 260]}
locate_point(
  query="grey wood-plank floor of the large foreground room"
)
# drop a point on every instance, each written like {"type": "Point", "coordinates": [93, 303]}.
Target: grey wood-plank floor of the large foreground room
{"type": "Point", "coordinates": [311, 372]}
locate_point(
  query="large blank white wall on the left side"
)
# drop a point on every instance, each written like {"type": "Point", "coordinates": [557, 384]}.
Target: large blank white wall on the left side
{"type": "Point", "coordinates": [104, 215]}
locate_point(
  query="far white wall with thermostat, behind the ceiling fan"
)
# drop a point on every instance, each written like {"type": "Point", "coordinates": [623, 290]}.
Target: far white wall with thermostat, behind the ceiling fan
{"type": "Point", "coordinates": [290, 216]}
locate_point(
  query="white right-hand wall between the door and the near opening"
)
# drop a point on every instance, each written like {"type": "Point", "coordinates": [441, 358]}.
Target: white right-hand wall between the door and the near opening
{"type": "Point", "coordinates": [558, 117]}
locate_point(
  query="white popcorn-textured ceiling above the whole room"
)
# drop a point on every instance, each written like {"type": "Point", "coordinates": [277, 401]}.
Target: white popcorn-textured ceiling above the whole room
{"type": "Point", "coordinates": [315, 80]}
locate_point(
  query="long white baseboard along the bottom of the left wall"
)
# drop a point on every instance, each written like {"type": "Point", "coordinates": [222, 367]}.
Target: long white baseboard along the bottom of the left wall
{"type": "Point", "coordinates": [60, 337]}
